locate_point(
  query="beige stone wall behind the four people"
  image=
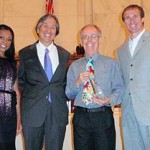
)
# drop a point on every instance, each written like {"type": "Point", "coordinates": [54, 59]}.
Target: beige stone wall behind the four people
{"type": "Point", "coordinates": [73, 14]}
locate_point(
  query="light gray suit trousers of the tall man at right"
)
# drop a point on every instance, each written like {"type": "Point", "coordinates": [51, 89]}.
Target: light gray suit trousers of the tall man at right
{"type": "Point", "coordinates": [136, 136]}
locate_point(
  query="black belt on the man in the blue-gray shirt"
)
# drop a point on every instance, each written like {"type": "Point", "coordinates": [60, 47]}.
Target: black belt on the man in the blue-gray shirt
{"type": "Point", "coordinates": [103, 108]}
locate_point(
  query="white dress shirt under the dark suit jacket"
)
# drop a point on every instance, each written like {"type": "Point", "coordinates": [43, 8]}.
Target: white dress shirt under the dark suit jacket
{"type": "Point", "coordinates": [53, 54]}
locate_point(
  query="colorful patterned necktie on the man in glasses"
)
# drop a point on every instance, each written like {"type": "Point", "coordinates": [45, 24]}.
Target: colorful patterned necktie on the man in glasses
{"type": "Point", "coordinates": [88, 88]}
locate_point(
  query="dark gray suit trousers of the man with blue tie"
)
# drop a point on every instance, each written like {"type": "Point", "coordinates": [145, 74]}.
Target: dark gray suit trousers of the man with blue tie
{"type": "Point", "coordinates": [49, 131]}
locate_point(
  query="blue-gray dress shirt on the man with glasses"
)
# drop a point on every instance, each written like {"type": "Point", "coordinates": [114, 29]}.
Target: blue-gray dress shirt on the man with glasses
{"type": "Point", "coordinates": [106, 73]}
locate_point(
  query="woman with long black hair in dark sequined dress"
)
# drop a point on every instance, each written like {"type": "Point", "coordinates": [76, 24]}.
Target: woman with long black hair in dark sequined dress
{"type": "Point", "coordinates": [10, 120]}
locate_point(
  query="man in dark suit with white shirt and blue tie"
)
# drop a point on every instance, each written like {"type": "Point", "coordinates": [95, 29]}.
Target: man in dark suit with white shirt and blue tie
{"type": "Point", "coordinates": [44, 108]}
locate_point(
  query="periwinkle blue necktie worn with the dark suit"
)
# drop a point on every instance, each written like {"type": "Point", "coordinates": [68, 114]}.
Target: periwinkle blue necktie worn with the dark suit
{"type": "Point", "coordinates": [48, 67]}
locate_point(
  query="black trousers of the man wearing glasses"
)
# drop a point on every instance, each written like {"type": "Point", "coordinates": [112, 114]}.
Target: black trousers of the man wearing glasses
{"type": "Point", "coordinates": [94, 130]}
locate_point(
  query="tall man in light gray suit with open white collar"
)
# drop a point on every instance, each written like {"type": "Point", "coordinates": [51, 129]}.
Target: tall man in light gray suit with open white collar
{"type": "Point", "coordinates": [134, 57]}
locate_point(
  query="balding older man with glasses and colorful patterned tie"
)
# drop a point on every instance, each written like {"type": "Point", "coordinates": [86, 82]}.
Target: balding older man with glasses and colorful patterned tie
{"type": "Point", "coordinates": [93, 121]}
